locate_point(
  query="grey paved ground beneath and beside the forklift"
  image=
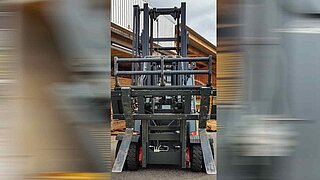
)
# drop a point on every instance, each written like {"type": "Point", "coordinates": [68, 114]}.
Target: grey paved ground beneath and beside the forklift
{"type": "Point", "coordinates": [160, 171]}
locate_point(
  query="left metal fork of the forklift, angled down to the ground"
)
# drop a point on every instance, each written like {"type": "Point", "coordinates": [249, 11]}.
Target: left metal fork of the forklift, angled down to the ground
{"type": "Point", "coordinates": [123, 151]}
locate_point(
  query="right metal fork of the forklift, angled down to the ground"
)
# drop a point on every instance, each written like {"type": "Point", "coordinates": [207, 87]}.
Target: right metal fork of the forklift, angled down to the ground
{"type": "Point", "coordinates": [207, 153]}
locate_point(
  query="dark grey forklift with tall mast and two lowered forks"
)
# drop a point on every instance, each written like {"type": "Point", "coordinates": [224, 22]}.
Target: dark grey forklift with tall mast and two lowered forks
{"type": "Point", "coordinates": [163, 124]}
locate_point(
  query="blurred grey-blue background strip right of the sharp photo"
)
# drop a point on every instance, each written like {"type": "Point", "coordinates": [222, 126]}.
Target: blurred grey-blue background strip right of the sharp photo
{"type": "Point", "coordinates": [268, 89]}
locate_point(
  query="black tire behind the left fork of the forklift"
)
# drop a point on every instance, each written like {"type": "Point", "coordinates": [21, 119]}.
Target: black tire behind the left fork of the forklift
{"type": "Point", "coordinates": [132, 160]}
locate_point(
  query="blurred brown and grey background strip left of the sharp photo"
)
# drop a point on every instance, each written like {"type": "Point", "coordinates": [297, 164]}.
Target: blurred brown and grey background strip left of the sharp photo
{"type": "Point", "coordinates": [54, 89]}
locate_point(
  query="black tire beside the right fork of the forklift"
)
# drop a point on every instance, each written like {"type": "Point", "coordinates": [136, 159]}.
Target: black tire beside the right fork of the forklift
{"type": "Point", "coordinates": [196, 158]}
